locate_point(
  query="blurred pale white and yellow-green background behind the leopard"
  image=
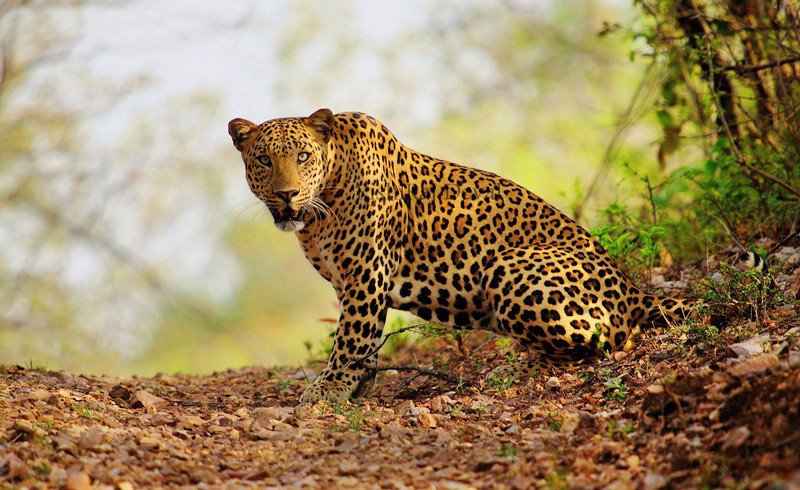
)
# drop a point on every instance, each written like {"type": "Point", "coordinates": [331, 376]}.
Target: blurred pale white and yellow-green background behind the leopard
{"type": "Point", "coordinates": [129, 241]}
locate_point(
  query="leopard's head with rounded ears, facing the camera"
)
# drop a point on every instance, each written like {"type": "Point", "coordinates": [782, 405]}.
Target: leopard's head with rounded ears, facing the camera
{"type": "Point", "coordinates": [286, 162]}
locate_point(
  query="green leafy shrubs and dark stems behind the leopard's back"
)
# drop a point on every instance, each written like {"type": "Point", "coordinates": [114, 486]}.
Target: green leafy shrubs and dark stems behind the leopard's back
{"type": "Point", "coordinates": [737, 177]}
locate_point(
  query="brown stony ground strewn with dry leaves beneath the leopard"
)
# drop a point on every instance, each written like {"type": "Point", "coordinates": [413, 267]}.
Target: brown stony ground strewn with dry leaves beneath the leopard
{"type": "Point", "coordinates": [689, 406]}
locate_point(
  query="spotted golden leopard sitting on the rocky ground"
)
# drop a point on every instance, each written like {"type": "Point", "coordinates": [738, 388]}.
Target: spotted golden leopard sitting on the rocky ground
{"type": "Point", "coordinates": [393, 228]}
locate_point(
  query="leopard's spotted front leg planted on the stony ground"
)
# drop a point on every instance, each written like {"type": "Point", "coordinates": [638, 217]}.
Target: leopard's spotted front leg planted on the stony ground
{"type": "Point", "coordinates": [355, 343]}
